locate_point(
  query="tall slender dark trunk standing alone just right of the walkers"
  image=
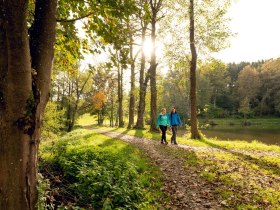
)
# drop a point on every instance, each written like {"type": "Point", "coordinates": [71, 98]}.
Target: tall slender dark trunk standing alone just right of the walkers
{"type": "Point", "coordinates": [194, 130]}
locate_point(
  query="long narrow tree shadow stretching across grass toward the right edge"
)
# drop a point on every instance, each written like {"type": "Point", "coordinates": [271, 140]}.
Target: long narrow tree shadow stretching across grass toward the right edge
{"type": "Point", "coordinates": [274, 168]}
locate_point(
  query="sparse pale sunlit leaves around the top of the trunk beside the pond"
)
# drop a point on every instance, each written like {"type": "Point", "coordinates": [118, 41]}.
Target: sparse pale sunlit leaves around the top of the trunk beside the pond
{"type": "Point", "coordinates": [212, 31]}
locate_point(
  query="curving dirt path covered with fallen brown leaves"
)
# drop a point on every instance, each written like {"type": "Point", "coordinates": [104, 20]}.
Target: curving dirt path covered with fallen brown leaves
{"type": "Point", "coordinates": [186, 189]}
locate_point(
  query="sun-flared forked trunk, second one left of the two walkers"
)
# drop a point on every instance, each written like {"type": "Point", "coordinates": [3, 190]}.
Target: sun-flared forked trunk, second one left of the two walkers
{"type": "Point", "coordinates": [143, 84]}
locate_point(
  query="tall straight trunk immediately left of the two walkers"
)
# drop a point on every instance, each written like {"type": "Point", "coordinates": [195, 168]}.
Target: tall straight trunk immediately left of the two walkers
{"type": "Point", "coordinates": [153, 84]}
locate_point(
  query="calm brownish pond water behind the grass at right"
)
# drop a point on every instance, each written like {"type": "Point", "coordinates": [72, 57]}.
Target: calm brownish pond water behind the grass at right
{"type": "Point", "coordinates": [265, 135]}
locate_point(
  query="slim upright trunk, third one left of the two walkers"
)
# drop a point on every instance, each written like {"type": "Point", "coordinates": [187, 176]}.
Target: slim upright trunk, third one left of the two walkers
{"type": "Point", "coordinates": [132, 87]}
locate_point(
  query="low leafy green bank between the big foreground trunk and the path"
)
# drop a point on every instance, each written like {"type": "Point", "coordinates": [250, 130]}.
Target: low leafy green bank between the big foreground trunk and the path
{"type": "Point", "coordinates": [103, 173]}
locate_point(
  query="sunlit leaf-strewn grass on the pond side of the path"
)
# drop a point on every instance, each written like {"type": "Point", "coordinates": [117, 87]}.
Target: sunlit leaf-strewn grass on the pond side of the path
{"type": "Point", "coordinates": [242, 181]}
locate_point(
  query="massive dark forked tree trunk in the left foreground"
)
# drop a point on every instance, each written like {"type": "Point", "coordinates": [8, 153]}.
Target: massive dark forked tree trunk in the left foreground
{"type": "Point", "coordinates": [23, 97]}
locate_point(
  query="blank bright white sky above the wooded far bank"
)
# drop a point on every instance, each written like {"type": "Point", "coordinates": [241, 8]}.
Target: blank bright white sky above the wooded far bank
{"type": "Point", "coordinates": [257, 27]}
